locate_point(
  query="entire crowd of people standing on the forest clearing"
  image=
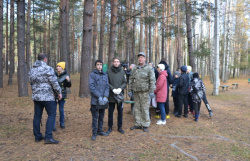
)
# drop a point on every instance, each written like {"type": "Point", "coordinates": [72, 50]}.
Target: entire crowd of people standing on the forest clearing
{"type": "Point", "coordinates": [145, 83]}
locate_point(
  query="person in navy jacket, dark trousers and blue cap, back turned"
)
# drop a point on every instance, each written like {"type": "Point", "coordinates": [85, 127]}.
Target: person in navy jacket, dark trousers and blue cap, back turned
{"type": "Point", "coordinates": [183, 87]}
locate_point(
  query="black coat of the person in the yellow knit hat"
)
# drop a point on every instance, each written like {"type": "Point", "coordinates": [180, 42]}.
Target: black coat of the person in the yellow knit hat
{"type": "Point", "coordinates": [63, 82]}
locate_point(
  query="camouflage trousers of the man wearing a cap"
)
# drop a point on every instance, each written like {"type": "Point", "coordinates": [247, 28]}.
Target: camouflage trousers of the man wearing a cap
{"type": "Point", "coordinates": [141, 109]}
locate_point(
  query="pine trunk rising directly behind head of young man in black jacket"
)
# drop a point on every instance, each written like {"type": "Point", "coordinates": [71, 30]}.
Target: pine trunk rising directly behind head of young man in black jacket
{"type": "Point", "coordinates": [112, 37]}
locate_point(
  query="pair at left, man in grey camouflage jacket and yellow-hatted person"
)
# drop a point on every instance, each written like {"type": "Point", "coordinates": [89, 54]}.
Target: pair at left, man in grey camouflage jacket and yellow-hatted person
{"type": "Point", "coordinates": [48, 90]}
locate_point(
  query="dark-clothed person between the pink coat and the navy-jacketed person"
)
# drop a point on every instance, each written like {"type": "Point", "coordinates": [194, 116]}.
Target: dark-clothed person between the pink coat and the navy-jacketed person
{"type": "Point", "coordinates": [175, 91]}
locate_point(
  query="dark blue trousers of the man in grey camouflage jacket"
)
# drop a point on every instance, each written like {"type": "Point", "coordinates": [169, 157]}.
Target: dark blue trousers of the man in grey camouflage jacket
{"type": "Point", "coordinates": [50, 107]}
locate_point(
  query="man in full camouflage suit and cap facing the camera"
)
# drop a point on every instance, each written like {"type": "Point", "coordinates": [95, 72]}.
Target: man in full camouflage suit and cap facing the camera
{"type": "Point", "coordinates": [142, 83]}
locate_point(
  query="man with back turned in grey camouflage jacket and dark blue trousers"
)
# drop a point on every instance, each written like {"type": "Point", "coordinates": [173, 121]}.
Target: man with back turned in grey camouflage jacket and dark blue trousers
{"type": "Point", "coordinates": [44, 86]}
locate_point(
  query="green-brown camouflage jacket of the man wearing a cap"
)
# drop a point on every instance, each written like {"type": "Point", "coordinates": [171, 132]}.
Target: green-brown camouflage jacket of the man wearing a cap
{"type": "Point", "coordinates": [142, 79]}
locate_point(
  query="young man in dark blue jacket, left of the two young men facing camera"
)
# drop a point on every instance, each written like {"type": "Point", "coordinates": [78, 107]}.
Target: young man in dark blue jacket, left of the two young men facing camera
{"type": "Point", "coordinates": [99, 89]}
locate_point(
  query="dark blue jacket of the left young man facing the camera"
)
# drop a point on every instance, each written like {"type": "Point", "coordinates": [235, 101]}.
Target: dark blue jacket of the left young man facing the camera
{"type": "Point", "coordinates": [98, 85]}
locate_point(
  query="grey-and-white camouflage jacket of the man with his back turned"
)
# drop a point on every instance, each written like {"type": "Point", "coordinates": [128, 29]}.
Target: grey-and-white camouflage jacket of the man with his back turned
{"type": "Point", "coordinates": [43, 82]}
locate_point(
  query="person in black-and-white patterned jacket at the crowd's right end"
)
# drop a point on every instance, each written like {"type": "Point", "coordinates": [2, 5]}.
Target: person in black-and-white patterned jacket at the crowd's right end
{"type": "Point", "coordinates": [197, 88]}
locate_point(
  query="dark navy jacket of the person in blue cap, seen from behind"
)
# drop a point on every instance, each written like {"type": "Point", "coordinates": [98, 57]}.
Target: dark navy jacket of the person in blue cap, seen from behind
{"type": "Point", "coordinates": [183, 84]}
